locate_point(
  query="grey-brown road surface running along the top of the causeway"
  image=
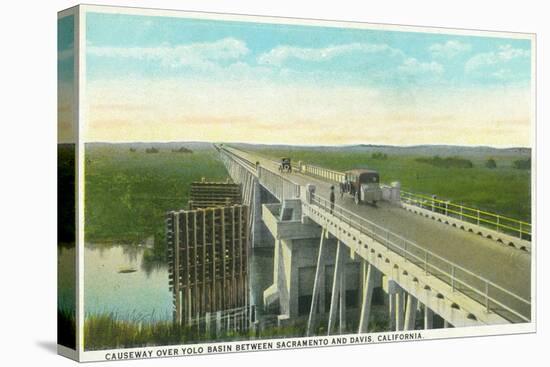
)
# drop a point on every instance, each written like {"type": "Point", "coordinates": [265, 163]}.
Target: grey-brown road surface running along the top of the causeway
{"type": "Point", "coordinates": [505, 266]}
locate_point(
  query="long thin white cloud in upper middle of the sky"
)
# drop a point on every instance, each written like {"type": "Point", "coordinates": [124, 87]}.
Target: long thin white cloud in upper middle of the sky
{"type": "Point", "coordinates": [280, 54]}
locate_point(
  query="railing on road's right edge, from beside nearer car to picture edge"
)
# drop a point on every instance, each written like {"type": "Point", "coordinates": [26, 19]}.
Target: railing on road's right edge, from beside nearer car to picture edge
{"type": "Point", "coordinates": [482, 218]}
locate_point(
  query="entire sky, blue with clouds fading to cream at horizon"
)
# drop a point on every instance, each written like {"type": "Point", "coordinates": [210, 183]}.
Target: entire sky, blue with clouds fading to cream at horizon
{"type": "Point", "coordinates": [380, 68]}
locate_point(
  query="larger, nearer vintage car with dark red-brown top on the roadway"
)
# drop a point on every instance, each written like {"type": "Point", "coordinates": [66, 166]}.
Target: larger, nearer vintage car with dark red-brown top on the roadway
{"type": "Point", "coordinates": [363, 185]}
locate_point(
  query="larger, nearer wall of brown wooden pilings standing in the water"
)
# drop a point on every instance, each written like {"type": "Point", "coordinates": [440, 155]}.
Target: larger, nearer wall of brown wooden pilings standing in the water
{"type": "Point", "coordinates": [207, 256]}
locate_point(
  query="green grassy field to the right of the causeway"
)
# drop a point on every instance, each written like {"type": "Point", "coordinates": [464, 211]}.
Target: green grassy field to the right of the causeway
{"type": "Point", "coordinates": [503, 190]}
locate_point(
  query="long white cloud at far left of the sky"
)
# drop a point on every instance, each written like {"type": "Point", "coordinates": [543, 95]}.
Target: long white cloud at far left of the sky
{"type": "Point", "coordinates": [196, 54]}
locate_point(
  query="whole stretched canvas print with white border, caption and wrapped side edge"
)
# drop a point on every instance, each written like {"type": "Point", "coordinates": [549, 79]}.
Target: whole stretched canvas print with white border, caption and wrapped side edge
{"type": "Point", "coordinates": [235, 183]}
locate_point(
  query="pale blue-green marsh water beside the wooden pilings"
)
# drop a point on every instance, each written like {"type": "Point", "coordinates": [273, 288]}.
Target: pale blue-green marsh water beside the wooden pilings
{"type": "Point", "coordinates": [118, 280]}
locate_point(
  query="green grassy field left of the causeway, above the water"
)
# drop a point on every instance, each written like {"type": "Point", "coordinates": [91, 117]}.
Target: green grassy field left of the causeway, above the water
{"type": "Point", "coordinates": [127, 193]}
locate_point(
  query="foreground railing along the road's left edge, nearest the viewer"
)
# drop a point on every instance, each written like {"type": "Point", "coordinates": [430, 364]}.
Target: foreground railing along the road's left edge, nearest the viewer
{"type": "Point", "coordinates": [495, 298]}
